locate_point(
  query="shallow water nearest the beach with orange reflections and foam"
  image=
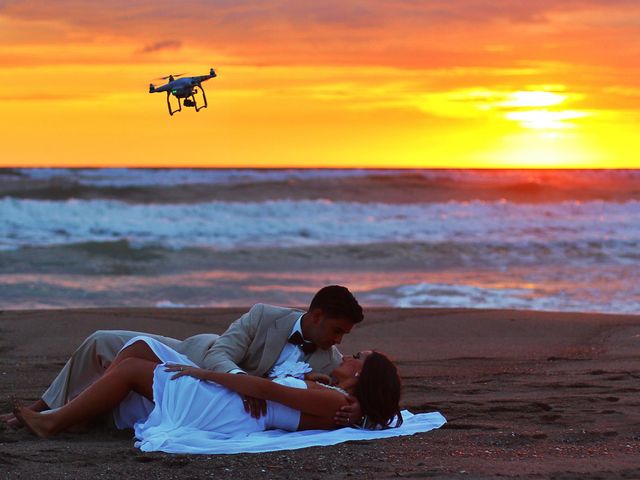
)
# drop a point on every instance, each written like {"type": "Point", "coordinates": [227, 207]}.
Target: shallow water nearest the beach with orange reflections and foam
{"type": "Point", "coordinates": [542, 288]}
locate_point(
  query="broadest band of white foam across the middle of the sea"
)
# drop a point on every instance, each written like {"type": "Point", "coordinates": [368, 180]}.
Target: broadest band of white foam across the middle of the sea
{"type": "Point", "coordinates": [594, 229]}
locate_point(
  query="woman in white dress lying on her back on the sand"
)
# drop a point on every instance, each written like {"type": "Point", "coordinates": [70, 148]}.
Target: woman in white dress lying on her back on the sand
{"type": "Point", "coordinates": [192, 404]}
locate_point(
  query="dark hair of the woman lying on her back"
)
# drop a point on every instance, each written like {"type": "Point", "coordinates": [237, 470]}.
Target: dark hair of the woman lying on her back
{"type": "Point", "coordinates": [378, 390]}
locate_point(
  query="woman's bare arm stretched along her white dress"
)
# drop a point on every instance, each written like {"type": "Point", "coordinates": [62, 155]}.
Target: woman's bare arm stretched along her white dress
{"type": "Point", "coordinates": [317, 402]}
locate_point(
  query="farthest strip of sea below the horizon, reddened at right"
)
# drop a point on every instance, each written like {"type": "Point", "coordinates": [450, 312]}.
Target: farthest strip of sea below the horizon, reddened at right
{"type": "Point", "coordinates": [362, 185]}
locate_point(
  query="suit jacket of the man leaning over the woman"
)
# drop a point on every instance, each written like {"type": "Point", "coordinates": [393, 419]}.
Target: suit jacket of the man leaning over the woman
{"type": "Point", "coordinates": [253, 343]}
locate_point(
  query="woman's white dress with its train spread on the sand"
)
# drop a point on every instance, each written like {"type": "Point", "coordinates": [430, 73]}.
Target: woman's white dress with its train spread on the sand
{"type": "Point", "coordinates": [194, 416]}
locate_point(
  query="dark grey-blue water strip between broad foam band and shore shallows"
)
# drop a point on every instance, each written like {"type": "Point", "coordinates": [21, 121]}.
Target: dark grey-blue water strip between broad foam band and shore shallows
{"type": "Point", "coordinates": [119, 256]}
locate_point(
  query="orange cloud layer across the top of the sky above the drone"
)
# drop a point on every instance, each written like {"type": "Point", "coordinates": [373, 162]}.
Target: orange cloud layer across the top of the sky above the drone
{"type": "Point", "coordinates": [400, 33]}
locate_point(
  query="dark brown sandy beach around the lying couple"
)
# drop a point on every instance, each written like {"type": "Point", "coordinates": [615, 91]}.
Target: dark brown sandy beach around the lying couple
{"type": "Point", "coordinates": [526, 395]}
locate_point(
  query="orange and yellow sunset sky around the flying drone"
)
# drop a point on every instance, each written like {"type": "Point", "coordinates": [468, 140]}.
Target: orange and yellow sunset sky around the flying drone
{"type": "Point", "coordinates": [442, 83]}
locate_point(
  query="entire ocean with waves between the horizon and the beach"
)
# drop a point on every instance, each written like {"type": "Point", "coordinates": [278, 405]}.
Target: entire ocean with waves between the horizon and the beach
{"type": "Point", "coordinates": [565, 240]}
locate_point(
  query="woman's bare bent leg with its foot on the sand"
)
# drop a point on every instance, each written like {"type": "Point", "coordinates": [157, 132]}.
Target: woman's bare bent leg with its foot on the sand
{"type": "Point", "coordinates": [131, 374]}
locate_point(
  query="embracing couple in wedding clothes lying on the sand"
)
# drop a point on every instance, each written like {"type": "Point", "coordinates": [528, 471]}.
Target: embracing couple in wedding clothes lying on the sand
{"type": "Point", "coordinates": [274, 368]}
